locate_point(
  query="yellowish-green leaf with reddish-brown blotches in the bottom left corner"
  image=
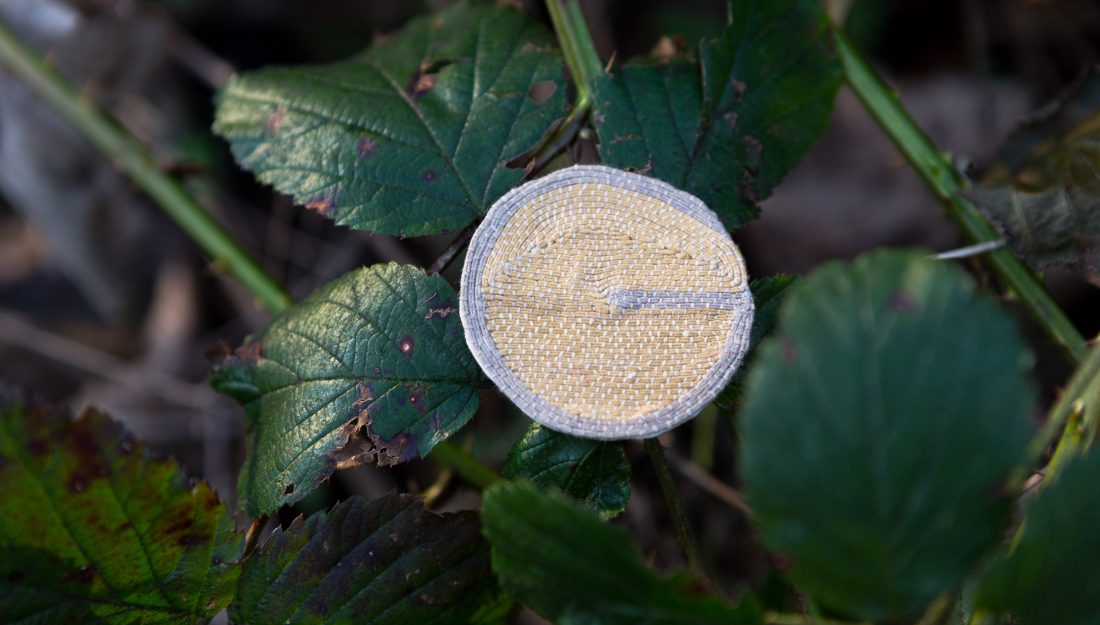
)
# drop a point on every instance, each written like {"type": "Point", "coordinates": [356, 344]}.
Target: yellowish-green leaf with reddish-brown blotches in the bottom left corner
{"type": "Point", "coordinates": [94, 531]}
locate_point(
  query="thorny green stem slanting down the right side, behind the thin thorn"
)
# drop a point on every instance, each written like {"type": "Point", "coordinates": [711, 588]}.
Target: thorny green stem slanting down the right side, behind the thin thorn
{"type": "Point", "coordinates": [940, 176]}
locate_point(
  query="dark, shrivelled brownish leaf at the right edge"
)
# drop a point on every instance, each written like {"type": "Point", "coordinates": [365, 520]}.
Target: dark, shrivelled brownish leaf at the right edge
{"type": "Point", "coordinates": [1044, 194]}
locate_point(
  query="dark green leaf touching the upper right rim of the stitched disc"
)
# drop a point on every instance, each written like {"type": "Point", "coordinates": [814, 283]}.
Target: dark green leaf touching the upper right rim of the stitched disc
{"type": "Point", "coordinates": [730, 128]}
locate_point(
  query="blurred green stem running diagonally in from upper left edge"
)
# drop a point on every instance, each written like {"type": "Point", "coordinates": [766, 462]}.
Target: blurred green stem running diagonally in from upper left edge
{"type": "Point", "coordinates": [134, 158]}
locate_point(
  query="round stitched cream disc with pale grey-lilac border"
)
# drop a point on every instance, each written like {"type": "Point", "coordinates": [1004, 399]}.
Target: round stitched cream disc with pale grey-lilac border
{"type": "Point", "coordinates": [606, 304]}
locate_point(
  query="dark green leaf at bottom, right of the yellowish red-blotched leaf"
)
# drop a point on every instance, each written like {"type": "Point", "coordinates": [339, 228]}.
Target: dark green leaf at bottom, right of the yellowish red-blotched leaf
{"type": "Point", "coordinates": [388, 562]}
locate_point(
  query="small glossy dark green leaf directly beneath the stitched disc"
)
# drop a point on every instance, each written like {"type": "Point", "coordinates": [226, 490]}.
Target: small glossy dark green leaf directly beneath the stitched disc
{"type": "Point", "coordinates": [596, 473]}
